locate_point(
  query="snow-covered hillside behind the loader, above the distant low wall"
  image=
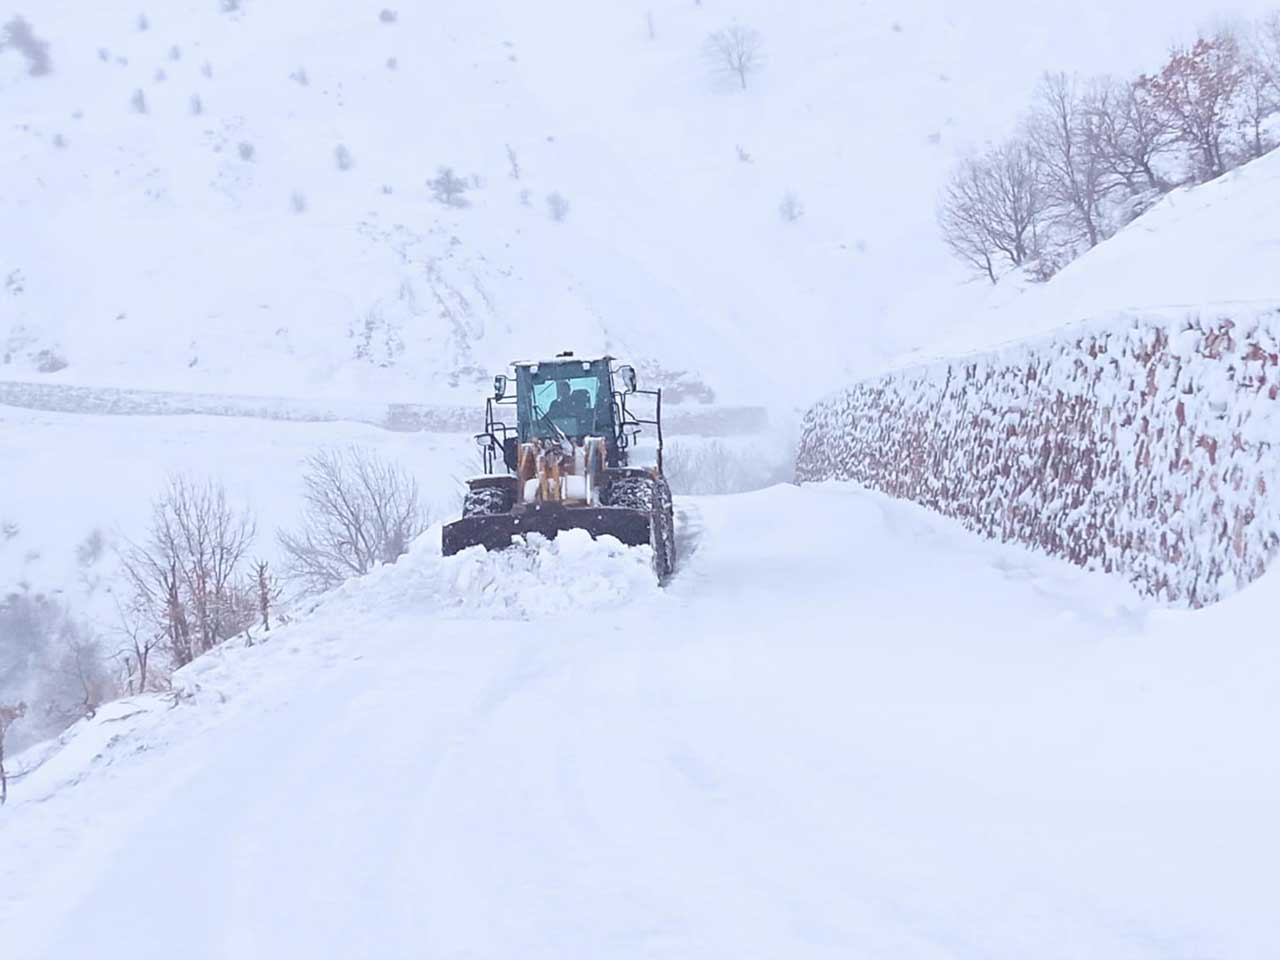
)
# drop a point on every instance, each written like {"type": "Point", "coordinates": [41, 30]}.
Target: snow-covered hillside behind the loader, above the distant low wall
{"type": "Point", "coordinates": [236, 202]}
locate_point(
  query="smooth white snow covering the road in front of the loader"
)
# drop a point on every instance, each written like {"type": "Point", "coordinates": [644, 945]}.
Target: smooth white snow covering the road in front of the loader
{"type": "Point", "coordinates": [848, 729]}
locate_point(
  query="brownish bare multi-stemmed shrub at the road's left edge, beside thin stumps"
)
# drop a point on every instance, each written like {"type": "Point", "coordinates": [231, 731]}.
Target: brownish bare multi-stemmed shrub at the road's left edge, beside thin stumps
{"type": "Point", "coordinates": [189, 577]}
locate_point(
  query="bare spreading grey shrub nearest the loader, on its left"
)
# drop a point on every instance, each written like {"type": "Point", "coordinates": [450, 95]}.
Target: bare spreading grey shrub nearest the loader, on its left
{"type": "Point", "coordinates": [359, 511]}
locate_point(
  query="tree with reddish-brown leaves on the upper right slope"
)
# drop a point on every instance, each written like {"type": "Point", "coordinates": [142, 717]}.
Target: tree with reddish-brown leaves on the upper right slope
{"type": "Point", "coordinates": [1197, 92]}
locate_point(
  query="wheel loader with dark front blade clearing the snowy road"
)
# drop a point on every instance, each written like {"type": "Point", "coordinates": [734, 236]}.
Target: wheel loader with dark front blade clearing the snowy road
{"type": "Point", "coordinates": [568, 461]}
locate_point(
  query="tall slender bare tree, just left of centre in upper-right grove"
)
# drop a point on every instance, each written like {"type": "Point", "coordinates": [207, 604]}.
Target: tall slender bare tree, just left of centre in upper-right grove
{"type": "Point", "coordinates": [1068, 144]}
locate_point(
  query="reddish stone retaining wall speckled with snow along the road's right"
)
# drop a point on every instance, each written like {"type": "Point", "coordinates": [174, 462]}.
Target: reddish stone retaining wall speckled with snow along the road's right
{"type": "Point", "coordinates": [1146, 446]}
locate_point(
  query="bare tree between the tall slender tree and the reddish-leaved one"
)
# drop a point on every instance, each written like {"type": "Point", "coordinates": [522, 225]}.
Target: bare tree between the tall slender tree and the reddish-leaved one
{"type": "Point", "coordinates": [1135, 135]}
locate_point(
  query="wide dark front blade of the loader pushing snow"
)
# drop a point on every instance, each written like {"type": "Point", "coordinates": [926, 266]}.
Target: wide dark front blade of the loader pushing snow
{"type": "Point", "coordinates": [495, 532]}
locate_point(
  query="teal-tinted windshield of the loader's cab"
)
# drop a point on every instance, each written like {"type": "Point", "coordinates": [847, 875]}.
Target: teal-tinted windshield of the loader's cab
{"type": "Point", "coordinates": [570, 399]}
